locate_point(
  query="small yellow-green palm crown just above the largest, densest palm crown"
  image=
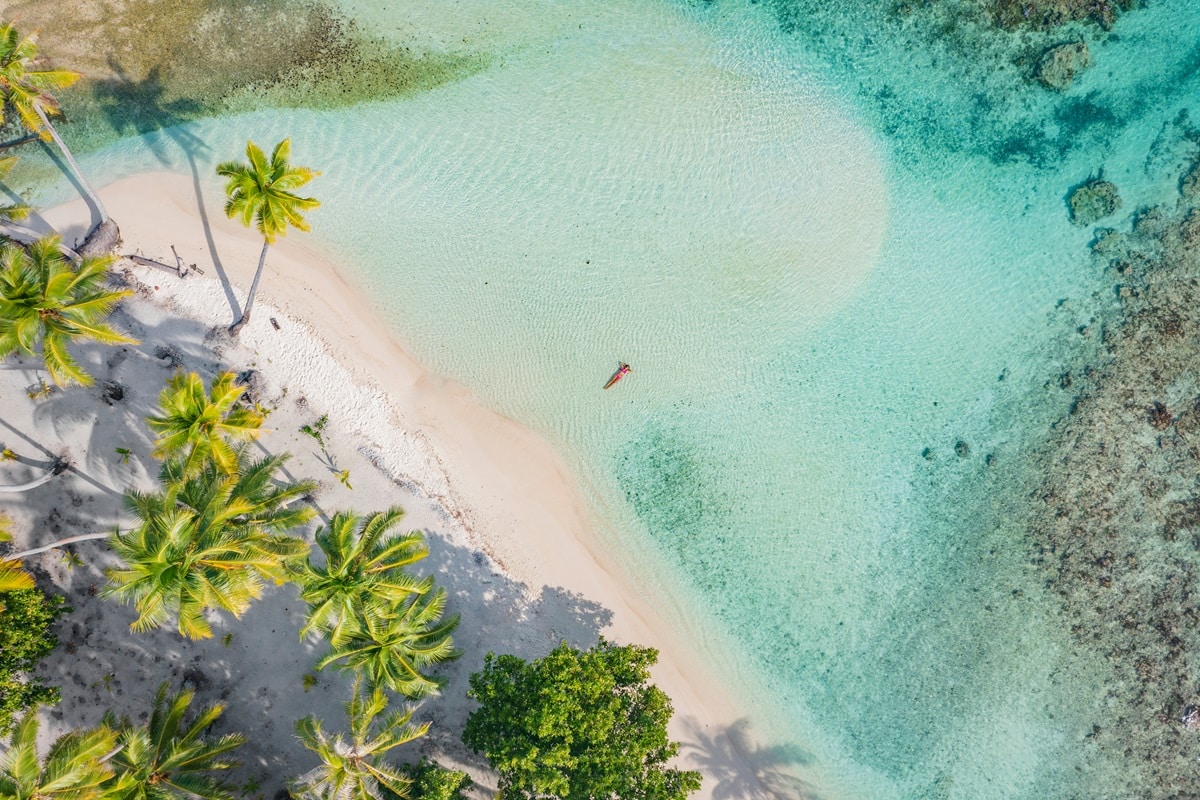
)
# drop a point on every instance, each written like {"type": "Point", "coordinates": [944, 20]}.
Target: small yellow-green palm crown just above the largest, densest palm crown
{"type": "Point", "coordinates": [196, 426]}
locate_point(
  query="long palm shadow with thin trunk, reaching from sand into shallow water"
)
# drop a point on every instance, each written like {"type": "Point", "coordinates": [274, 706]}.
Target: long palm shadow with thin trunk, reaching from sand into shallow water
{"type": "Point", "coordinates": [141, 109]}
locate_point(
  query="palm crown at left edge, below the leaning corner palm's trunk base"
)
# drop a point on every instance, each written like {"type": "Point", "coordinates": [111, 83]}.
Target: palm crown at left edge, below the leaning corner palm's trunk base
{"type": "Point", "coordinates": [46, 303]}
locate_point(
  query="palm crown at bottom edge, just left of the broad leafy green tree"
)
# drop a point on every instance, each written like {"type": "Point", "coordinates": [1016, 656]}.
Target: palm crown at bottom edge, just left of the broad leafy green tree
{"type": "Point", "coordinates": [352, 769]}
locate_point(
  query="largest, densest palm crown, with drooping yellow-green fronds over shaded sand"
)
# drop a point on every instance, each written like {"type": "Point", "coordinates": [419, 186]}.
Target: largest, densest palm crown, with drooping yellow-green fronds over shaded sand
{"type": "Point", "coordinates": [207, 542]}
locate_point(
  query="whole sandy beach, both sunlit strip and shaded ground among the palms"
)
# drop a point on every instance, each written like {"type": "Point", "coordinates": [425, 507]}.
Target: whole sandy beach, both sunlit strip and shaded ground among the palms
{"type": "Point", "coordinates": [511, 538]}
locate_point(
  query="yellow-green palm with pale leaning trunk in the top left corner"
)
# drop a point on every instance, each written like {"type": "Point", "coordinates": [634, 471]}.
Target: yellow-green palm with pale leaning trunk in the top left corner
{"type": "Point", "coordinates": [27, 87]}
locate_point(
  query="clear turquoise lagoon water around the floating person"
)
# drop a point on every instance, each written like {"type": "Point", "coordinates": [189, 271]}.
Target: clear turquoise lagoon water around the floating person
{"type": "Point", "coordinates": [833, 248]}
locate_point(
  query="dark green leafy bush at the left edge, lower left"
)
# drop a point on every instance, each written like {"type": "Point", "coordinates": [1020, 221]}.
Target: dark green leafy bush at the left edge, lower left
{"type": "Point", "coordinates": [26, 639]}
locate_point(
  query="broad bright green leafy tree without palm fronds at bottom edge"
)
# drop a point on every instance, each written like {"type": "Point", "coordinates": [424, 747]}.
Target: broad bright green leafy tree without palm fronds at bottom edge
{"type": "Point", "coordinates": [578, 725]}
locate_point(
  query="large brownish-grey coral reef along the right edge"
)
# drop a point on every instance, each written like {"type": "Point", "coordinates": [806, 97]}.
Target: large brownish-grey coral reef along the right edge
{"type": "Point", "coordinates": [1118, 526]}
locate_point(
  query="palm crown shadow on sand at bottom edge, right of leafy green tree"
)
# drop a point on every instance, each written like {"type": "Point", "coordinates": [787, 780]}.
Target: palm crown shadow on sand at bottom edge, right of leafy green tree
{"type": "Point", "coordinates": [747, 771]}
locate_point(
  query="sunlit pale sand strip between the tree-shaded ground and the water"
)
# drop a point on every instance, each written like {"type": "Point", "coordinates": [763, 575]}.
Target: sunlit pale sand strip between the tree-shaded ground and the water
{"type": "Point", "coordinates": [511, 494]}
